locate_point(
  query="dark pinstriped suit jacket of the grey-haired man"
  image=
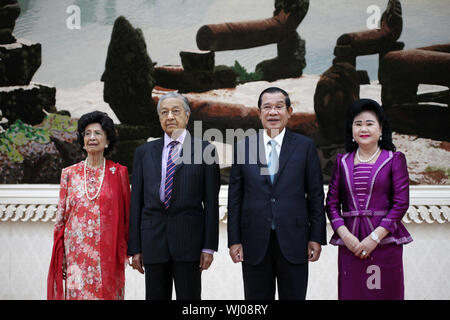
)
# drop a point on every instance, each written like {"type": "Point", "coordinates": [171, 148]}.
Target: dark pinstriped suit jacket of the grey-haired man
{"type": "Point", "coordinates": [192, 221]}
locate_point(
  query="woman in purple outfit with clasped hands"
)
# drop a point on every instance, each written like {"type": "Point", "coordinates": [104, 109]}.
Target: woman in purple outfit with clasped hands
{"type": "Point", "coordinates": [367, 197]}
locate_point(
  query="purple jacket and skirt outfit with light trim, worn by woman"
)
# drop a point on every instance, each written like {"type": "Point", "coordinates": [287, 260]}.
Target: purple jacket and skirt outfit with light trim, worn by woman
{"type": "Point", "coordinates": [363, 197]}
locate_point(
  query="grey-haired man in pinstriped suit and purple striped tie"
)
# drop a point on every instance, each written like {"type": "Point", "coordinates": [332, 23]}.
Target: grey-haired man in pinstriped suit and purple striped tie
{"type": "Point", "coordinates": [174, 212]}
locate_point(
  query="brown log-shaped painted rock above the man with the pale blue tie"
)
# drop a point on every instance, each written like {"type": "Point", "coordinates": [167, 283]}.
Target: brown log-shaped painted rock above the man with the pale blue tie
{"type": "Point", "coordinates": [279, 29]}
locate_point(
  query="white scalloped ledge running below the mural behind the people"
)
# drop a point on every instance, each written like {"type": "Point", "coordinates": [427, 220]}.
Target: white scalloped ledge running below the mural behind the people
{"type": "Point", "coordinates": [38, 202]}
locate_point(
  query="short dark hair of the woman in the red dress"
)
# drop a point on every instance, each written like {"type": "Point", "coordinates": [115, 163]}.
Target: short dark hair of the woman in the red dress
{"type": "Point", "coordinates": [107, 125]}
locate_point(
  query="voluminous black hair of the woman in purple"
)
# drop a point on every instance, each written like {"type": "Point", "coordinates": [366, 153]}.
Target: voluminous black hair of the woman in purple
{"type": "Point", "coordinates": [368, 105]}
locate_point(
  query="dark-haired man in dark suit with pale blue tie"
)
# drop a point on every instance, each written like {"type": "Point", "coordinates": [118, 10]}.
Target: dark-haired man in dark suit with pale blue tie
{"type": "Point", "coordinates": [276, 219]}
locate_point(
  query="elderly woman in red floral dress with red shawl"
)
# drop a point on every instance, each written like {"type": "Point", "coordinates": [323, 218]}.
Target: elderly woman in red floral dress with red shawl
{"type": "Point", "coordinates": [91, 229]}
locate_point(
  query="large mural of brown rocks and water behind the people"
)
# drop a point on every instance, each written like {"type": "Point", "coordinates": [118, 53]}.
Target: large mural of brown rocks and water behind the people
{"type": "Point", "coordinates": [60, 59]}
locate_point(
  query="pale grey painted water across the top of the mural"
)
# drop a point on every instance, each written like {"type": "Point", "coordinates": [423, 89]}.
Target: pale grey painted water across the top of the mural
{"type": "Point", "coordinates": [76, 57]}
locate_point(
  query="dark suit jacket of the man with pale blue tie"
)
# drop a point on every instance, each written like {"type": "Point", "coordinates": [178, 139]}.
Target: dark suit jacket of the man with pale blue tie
{"type": "Point", "coordinates": [295, 200]}
